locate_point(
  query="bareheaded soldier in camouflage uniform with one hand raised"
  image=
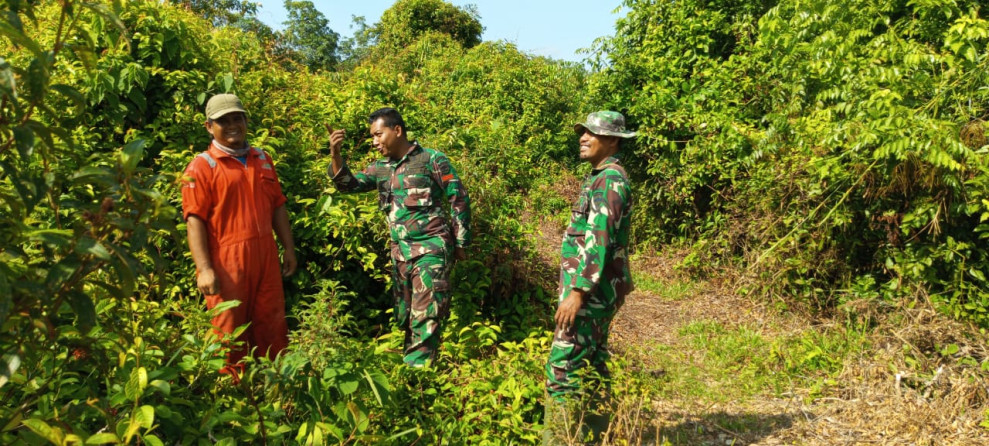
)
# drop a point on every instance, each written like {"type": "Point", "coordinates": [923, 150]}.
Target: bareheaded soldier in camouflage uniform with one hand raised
{"type": "Point", "coordinates": [412, 184]}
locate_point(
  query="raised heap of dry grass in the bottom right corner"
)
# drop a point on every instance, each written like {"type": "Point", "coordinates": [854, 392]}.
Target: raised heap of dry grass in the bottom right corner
{"type": "Point", "coordinates": [905, 392]}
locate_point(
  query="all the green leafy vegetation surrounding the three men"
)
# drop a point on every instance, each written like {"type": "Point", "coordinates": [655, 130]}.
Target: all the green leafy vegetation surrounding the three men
{"type": "Point", "coordinates": [835, 151]}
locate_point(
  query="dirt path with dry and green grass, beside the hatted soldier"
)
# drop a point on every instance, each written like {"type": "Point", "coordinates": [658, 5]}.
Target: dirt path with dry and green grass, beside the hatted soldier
{"type": "Point", "coordinates": [894, 389]}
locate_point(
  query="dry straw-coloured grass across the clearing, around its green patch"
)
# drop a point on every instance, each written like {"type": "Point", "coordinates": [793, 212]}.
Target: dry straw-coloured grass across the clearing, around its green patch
{"type": "Point", "coordinates": [903, 390]}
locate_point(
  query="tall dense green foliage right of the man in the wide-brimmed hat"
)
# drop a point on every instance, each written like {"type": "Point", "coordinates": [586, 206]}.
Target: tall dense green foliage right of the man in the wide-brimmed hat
{"type": "Point", "coordinates": [814, 143]}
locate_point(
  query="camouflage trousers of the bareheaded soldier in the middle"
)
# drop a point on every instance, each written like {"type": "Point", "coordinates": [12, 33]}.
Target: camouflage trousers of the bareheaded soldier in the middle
{"type": "Point", "coordinates": [422, 302]}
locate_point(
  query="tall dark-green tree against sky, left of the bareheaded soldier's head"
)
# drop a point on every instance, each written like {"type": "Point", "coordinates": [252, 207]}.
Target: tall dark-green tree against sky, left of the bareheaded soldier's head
{"type": "Point", "coordinates": [308, 34]}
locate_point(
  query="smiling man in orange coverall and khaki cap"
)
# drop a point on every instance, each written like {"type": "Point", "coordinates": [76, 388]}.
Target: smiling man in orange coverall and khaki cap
{"type": "Point", "coordinates": [232, 202]}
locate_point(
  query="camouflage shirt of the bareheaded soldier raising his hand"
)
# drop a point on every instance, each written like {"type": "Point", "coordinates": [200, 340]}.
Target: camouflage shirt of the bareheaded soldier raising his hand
{"type": "Point", "coordinates": [411, 192]}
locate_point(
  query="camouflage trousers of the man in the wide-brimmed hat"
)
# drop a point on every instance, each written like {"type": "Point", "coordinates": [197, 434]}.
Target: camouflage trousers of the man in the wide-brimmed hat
{"type": "Point", "coordinates": [584, 344]}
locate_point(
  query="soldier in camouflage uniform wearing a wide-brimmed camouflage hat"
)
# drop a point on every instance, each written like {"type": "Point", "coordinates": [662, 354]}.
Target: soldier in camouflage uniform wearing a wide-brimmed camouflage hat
{"type": "Point", "coordinates": [594, 275]}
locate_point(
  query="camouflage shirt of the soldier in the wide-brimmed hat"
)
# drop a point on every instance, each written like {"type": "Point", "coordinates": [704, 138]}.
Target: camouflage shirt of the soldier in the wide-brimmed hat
{"type": "Point", "coordinates": [595, 245]}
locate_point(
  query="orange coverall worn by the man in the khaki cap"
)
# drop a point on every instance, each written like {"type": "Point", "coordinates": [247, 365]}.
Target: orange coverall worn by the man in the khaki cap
{"type": "Point", "coordinates": [237, 202]}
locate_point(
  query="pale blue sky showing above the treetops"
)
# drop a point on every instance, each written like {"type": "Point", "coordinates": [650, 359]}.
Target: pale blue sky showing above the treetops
{"type": "Point", "coordinates": [552, 28]}
